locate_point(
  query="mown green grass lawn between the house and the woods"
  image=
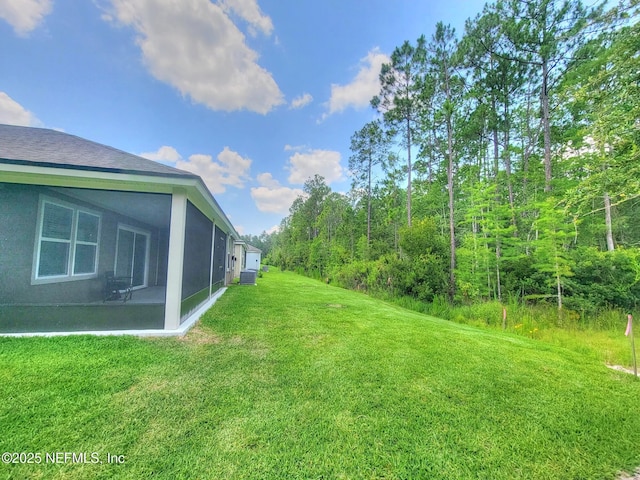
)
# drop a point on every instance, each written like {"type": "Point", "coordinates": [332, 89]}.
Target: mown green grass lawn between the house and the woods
{"type": "Point", "coordinates": [297, 379]}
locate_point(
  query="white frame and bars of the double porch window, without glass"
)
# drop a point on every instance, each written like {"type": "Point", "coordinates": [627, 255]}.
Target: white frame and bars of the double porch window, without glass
{"type": "Point", "coordinates": [70, 276]}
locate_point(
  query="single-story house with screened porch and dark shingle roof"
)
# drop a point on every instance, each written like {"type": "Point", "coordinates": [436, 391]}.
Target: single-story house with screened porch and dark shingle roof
{"type": "Point", "coordinates": [96, 239]}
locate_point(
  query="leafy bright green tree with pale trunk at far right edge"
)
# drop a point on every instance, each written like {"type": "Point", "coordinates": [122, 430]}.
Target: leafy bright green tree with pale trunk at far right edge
{"type": "Point", "coordinates": [605, 101]}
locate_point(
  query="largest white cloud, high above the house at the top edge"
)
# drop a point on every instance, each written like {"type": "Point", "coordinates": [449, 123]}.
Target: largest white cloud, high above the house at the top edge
{"type": "Point", "coordinates": [194, 46]}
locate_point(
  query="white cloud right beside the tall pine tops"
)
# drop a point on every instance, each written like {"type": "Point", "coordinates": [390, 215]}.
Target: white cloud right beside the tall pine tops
{"type": "Point", "coordinates": [362, 88]}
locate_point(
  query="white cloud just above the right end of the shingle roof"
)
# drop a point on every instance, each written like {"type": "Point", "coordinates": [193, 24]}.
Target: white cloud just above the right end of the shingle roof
{"type": "Point", "coordinates": [230, 169]}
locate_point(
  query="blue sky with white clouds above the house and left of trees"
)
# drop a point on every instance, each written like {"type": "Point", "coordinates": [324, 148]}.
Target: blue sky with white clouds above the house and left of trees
{"type": "Point", "coordinates": [255, 96]}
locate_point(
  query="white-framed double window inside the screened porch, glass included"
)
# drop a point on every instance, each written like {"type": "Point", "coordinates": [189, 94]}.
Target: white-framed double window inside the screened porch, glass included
{"type": "Point", "coordinates": [67, 245]}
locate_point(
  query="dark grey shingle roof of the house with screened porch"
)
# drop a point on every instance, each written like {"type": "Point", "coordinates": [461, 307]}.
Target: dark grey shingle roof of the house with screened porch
{"type": "Point", "coordinates": [44, 147]}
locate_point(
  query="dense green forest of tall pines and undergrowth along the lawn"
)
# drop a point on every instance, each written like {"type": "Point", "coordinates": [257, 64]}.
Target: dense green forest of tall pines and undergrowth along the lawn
{"type": "Point", "coordinates": [502, 164]}
